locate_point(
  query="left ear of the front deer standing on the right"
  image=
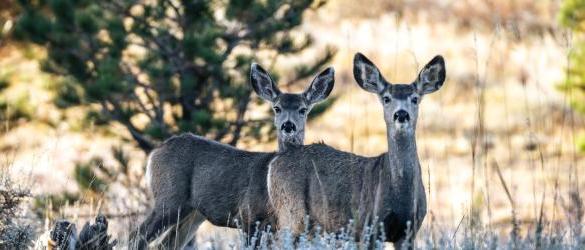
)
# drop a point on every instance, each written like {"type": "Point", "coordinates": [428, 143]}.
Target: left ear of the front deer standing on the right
{"type": "Point", "coordinates": [367, 75]}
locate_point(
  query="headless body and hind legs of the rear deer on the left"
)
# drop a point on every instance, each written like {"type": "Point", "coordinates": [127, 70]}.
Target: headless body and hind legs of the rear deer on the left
{"type": "Point", "coordinates": [194, 179]}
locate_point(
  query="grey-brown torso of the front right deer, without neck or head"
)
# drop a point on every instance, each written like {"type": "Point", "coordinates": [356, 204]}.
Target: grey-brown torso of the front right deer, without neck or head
{"type": "Point", "coordinates": [340, 186]}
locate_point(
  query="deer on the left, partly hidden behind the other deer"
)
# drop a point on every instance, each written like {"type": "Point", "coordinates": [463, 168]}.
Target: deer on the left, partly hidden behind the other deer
{"type": "Point", "coordinates": [195, 179]}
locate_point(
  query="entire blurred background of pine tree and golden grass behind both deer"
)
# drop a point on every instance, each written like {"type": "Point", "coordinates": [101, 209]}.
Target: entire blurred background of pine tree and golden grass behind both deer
{"type": "Point", "coordinates": [88, 88]}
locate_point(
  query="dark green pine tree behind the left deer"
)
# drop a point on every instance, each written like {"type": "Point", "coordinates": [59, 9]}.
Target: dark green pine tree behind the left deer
{"type": "Point", "coordinates": [169, 61]}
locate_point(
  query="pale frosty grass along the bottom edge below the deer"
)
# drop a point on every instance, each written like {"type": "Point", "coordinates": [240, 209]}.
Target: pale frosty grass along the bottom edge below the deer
{"type": "Point", "coordinates": [562, 237]}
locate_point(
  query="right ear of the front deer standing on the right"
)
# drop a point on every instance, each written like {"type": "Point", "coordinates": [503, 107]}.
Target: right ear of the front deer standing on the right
{"type": "Point", "coordinates": [431, 77]}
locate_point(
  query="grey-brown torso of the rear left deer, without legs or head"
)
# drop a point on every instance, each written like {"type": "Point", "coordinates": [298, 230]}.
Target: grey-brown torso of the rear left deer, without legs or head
{"type": "Point", "coordinates": [234, 188]}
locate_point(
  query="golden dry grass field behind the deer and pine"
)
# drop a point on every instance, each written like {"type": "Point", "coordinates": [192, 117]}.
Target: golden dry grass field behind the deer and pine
{"type": "Point", "coordinates": [497, 143]}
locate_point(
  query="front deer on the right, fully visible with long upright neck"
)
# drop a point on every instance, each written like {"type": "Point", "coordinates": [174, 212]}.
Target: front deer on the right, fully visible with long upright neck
{"type": "Point", "coordinates": [333, 187]}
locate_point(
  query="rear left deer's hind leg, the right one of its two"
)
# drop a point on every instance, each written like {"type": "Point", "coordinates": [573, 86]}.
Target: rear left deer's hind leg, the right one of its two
{"type": "Point", "coordinates": [179, 235]}
